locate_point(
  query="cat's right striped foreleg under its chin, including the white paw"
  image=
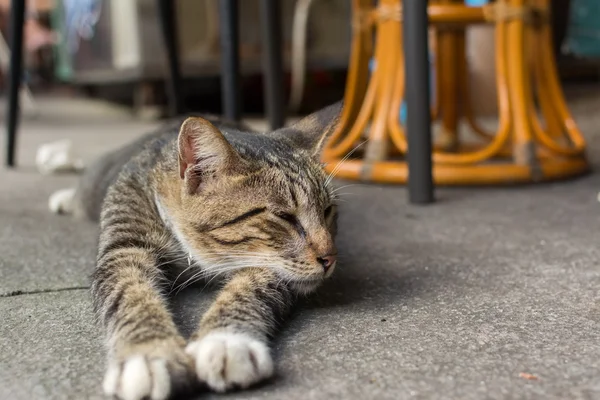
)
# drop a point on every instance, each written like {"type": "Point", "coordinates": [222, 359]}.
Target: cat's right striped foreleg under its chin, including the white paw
{"type": "Point", "coordinates": [230, 348]}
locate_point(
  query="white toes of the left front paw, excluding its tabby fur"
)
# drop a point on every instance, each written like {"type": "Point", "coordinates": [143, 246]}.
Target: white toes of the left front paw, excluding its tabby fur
{"type": "Point", "coordinates": [138, 378]}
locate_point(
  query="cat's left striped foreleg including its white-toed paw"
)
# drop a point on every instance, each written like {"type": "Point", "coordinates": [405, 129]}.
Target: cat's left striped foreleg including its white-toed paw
{"type": "Point", "coordinates": [146, 352]}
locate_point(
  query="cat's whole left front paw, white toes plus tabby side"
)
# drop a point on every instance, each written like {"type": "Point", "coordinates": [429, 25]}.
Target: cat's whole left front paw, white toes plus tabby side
{"type": "Point", "coordinates": [148, 376]}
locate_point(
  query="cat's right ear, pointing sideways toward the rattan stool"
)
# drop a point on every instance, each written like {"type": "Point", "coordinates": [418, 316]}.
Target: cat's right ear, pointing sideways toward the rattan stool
{"type": "Point", "coordinates": [312, 131]}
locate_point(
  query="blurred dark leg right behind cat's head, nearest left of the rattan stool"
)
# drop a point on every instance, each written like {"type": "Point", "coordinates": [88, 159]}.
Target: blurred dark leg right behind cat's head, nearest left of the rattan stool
{"type": "Point", "coordinates": [272, 58]}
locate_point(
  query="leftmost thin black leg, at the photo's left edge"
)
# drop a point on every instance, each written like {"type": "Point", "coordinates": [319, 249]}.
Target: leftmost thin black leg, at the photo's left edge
{"type": "Point", "coordinates": [17, 19]}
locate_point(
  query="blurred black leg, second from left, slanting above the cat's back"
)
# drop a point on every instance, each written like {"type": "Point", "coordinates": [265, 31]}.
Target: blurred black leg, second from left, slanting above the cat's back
{"type": "Point", "coordinates": [166, 10]}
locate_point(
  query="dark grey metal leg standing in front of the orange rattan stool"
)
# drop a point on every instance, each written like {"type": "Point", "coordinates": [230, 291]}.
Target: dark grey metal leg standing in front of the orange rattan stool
{"type": "Point", "coordinates": [418, 123]}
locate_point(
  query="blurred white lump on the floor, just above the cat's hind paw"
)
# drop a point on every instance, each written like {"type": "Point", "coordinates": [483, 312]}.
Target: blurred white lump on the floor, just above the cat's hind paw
{"type": "Point", "coordinates": [57, 157]}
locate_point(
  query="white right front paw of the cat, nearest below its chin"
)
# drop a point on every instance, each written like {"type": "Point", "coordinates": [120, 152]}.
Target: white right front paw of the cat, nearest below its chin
{"type": "Point", "coordinates": [227, 360]}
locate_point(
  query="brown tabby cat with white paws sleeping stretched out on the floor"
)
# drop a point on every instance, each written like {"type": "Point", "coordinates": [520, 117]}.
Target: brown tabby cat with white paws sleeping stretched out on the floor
{"type": "Point", "coordinates": [213, 200]}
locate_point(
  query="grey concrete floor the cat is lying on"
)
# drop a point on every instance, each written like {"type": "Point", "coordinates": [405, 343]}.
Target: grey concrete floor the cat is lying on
{"type": "Point", "coordinates": [449, 301]}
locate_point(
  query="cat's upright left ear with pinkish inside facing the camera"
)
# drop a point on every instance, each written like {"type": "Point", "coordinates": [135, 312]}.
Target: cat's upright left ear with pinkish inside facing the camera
{"type": "Point", "coordinates": [203, 152]}
